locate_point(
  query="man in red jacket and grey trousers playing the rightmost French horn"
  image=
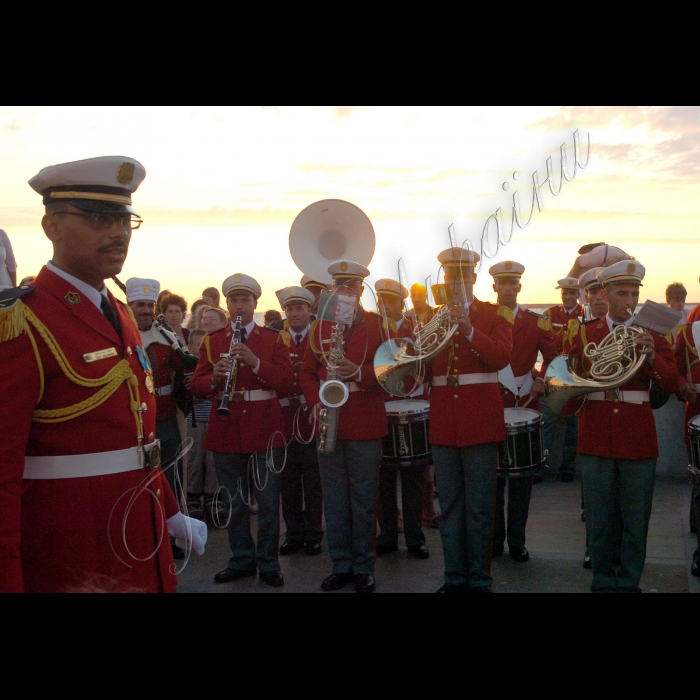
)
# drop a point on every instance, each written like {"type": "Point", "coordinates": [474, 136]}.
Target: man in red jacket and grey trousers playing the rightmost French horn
{"type": "Point", "coordinates": [617, 443]}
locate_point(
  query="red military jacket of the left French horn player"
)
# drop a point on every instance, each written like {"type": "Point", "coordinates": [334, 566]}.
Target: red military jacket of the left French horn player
{"type": "Point", "coordinates": [471, 414]}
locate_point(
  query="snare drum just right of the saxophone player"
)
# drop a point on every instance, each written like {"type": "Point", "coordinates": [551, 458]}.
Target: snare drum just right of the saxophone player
{"type": "Point", "coordinates": [407, 444]}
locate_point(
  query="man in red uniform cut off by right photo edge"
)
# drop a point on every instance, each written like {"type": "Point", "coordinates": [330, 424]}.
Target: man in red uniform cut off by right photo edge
{"type": "Point", "coordinates": [688, 365]}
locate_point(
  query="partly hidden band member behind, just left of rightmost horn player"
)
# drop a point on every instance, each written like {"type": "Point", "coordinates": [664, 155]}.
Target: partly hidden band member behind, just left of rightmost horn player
{"type": "Point", "coordinates": [558, 319]}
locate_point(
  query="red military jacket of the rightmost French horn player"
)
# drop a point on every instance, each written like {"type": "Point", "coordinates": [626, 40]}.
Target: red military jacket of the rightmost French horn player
{"type": "Point", "coordinates": [617, 429]}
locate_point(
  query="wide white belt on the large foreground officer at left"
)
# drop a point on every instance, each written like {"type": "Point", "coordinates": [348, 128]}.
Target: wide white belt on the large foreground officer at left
{"type": "Point", "coordinates": [77, 466]}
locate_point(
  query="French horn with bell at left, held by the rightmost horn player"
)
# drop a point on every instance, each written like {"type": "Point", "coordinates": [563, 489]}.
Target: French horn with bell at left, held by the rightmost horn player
{"type": "Point", "coordinates": [615, 361]}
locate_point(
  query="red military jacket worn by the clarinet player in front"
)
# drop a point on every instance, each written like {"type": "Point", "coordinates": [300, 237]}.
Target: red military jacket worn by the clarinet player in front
{"type": "Point", "coordinates": [251, 424]}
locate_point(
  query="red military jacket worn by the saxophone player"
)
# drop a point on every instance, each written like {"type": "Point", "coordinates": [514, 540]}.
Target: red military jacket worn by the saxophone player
{"type": "Point", "coordinates": [363, 416]}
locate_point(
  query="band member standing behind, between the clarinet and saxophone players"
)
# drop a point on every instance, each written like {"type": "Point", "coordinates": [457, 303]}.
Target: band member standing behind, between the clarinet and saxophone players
{"type": "Point", "coordinates": [302, 502]}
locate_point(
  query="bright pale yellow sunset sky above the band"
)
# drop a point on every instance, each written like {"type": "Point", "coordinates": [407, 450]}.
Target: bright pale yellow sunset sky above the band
{"type": "Point", "coordinates": [224, 185]}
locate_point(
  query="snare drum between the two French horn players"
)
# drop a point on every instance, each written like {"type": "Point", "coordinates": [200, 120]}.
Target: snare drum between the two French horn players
{"type": "Point", "coordinates": [523, 450]}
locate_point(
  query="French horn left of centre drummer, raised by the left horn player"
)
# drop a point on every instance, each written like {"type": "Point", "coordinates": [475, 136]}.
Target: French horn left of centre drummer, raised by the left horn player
{"type": "Point", "coordinates": [397, 359]}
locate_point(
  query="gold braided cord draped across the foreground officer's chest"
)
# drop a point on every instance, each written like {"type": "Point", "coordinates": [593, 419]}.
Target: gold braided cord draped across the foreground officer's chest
{"type": "Point", "coordinates": [109, 383]}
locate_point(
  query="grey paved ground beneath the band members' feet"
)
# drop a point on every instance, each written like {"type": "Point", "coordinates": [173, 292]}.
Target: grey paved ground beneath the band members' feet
{"type": "Point", "coordinates": [555, 539]}
